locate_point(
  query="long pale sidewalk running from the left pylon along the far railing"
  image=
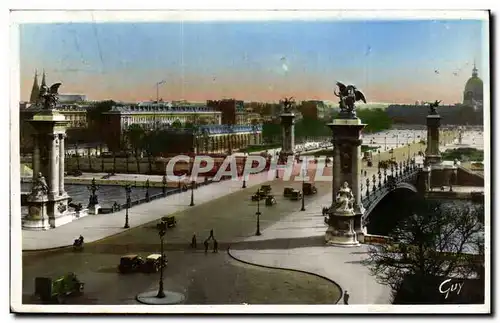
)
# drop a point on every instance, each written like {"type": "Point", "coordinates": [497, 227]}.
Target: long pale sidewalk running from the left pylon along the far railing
{"type": "Point", "coordinates": [96, 227]}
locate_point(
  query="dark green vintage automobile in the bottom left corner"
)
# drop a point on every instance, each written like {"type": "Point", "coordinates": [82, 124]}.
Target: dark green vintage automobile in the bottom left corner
{"type": "Point", "coordinates": [55, 291]}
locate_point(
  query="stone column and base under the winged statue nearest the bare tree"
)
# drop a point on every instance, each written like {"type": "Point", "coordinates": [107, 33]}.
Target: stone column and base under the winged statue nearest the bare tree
{"type": "Point", "coordinates": [347, 168]}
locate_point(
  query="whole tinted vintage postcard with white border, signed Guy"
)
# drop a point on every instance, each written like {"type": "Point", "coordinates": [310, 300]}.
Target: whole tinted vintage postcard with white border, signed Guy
{"type": "Point", "coordinates": [250, 162]}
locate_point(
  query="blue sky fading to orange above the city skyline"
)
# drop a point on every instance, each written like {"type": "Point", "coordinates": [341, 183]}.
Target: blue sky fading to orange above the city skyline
{"type": "Point", "coordinates": [398, 61]}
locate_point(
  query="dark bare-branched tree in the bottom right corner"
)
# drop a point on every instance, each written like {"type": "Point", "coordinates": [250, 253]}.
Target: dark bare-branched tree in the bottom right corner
{"type": "Point", "coordinates": [431, 240]}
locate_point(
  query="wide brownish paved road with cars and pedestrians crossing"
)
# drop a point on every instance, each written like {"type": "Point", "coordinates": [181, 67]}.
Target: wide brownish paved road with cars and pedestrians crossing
{"type": "Point", "coordinates": [202, 278]}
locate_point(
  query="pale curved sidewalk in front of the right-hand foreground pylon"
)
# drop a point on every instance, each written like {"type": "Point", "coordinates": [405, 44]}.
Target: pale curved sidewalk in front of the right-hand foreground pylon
{"type": "Point", "coordinates": [342, 265]}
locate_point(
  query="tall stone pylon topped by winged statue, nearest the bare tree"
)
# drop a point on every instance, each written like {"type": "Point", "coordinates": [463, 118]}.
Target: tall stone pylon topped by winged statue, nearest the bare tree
{"type": "Point", "coordinates": [345, 221]}
